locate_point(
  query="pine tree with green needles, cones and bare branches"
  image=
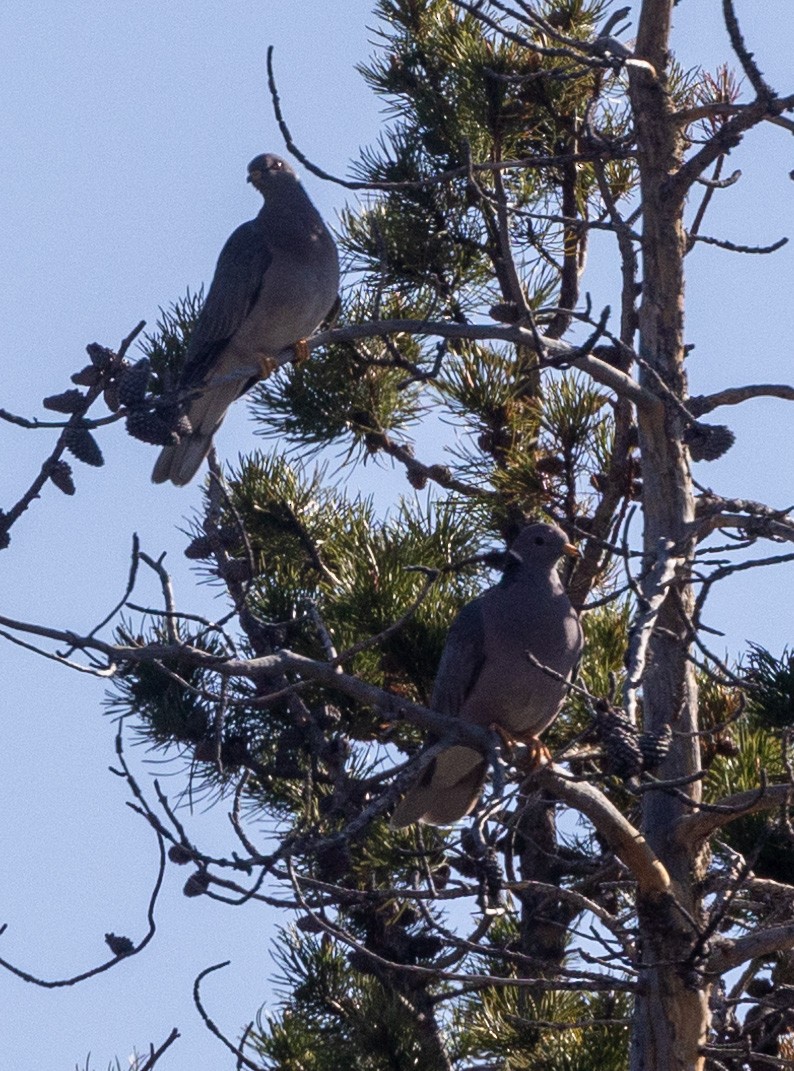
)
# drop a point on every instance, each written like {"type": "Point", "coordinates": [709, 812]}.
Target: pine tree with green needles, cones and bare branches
{"type": "Point", "coordinates": [590, 914]}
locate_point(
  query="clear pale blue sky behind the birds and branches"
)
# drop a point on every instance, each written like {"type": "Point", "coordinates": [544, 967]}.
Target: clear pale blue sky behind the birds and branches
{"type": "Point", "coordinates": [124, 142]}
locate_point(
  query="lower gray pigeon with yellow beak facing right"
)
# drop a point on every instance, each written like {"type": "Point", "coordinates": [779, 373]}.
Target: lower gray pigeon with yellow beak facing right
{"type": "Point", "coordinates": [486, 677]}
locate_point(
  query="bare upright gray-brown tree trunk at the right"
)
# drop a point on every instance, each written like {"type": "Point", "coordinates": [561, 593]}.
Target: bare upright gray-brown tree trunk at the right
{"type": "Point", "coordinates": [672, 1007]}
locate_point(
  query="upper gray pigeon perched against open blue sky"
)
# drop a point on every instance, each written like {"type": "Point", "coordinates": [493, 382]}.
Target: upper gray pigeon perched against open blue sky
{"type": "Point", "coordinates": [277, 279]}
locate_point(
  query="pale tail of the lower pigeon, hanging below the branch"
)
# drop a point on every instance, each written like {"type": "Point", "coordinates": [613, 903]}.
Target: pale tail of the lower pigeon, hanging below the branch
{"type": "Point", "coordinates": [448, 791]}
